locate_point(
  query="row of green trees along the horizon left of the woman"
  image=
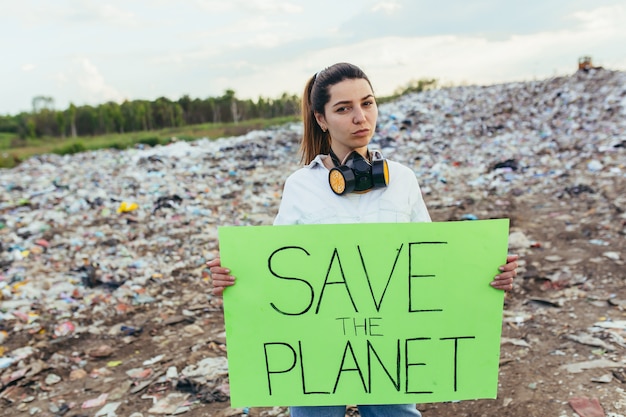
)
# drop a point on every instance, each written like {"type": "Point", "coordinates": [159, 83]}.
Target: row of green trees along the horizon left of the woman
{"type": "Point", "coordinates": [141, 115]}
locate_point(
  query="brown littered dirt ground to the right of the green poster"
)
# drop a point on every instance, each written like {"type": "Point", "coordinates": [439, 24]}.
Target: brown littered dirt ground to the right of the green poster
{"type": "Point", "coordinates": [585, 288]}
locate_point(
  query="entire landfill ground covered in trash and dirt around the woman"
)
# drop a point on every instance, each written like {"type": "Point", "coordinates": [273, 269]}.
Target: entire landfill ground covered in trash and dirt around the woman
{"type": "Point", "coordinates": [105, 298]}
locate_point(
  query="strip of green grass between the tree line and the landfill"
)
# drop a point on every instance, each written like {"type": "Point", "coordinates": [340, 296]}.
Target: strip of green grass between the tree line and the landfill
{"type": "Point", "coordinates": [13, 150]}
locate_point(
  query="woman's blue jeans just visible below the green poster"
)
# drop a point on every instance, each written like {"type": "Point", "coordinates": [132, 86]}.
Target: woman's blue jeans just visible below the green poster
{"type": "Point", "coordinates": [395, 410]}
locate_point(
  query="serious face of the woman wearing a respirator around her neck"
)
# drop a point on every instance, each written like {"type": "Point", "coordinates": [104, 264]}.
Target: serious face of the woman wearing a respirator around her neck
{"type": "Point", "coordinates": [350, 116]}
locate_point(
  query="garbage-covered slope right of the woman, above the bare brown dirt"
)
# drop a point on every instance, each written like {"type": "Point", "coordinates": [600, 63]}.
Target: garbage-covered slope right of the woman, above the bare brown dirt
{"type": "Point", "coordinates": [515, 137]}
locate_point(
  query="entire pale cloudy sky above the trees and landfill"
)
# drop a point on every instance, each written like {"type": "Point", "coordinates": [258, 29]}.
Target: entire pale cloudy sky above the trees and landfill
{"type": "Point", "coordinates": [89, 52]}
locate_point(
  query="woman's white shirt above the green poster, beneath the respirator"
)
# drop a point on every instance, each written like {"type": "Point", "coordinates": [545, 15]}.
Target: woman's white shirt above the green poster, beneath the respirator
{"type": "Point", "coordinates": [308, 199]}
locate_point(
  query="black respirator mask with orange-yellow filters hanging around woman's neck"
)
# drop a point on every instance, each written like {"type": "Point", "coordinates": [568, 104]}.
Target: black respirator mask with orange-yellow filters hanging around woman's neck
{"type": "Point", "coordinates": [357, 174]}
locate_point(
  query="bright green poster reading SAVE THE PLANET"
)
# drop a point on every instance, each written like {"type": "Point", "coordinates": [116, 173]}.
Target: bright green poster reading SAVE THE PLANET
{"type": "Point", "coordinates": [363, 313]}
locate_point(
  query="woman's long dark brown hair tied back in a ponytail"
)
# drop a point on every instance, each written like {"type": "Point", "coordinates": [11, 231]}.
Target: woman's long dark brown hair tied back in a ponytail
{"type": "Point", "coordinates": [316, 94]}
